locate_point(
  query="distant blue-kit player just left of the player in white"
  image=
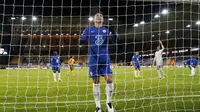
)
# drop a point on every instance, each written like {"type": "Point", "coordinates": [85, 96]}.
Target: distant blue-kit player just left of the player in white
{"type": "Point", "coordinates": [136, 62]}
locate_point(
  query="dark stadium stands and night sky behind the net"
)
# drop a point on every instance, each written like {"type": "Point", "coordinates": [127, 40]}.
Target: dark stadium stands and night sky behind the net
{"type": "Point", "coordinates": [125, 15]}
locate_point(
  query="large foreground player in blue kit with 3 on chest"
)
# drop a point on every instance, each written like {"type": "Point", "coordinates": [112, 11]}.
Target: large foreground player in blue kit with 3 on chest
{"type": "Point", "coordinates": [98, 37]}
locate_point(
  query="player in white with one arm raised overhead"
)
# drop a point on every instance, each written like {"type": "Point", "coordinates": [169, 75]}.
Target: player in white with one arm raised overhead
{"type": "Point", "coordinates": [159, 61]}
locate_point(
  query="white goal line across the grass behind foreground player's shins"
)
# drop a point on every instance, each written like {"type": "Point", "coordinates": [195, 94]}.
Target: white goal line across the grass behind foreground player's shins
{"type": "Point", "coordinates": [91, 101]}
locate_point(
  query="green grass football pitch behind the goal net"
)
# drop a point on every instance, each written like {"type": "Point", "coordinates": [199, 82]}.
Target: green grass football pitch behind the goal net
{"type": "Point", "coordinates": [23, 90]}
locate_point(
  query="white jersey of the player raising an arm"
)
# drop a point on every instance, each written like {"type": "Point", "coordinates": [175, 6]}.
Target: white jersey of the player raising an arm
{"type": "Point", "coordinates": [158, 57]}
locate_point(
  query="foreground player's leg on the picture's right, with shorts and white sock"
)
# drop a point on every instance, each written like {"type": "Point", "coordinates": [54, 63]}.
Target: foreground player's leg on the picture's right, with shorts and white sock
{"type": "Point", "coordinates": [107, 72]}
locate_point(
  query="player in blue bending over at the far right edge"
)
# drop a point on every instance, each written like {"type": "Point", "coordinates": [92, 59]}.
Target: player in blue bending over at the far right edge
{"type": "Point", "coordinates": [192, 64]}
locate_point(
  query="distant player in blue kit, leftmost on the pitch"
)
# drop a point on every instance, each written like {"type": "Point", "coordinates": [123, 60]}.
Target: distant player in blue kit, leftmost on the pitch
{"type": "Point", "coordinates": [55, 64]}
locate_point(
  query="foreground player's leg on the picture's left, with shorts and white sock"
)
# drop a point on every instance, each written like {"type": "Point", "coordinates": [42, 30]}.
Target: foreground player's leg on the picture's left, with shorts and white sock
{"type": "Point", "coordinates": [93, 72]}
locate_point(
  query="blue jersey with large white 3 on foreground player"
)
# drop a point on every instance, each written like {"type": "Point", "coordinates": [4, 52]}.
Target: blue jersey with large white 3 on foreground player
{"type": "Point", "coordinates": [98, 42]}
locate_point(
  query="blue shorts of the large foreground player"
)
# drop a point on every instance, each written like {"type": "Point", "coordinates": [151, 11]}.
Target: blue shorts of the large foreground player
{"type": "Point", "coordinates": [99, 70]}
